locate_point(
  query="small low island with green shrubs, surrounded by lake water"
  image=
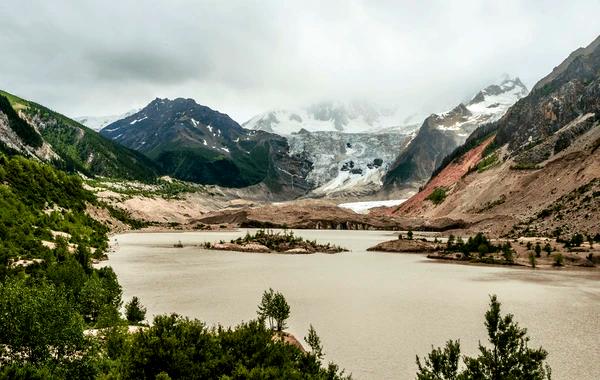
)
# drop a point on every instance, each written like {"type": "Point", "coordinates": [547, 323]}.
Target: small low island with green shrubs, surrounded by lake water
{"type": "Point", "coordinates": [274, 242]}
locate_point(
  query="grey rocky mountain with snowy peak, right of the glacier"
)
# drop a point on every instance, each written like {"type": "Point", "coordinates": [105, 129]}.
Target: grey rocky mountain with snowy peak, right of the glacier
{"type": "Point", "coordinates": [440, 134]}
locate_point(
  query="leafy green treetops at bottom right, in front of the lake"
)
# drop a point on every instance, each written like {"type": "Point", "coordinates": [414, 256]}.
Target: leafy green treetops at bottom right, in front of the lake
{"type": "Point", "coordinates": [509, 356]}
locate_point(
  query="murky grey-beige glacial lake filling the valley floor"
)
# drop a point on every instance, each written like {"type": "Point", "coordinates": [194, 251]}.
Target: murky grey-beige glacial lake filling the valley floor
{"type": "Point", "coordinates": [373, 311]}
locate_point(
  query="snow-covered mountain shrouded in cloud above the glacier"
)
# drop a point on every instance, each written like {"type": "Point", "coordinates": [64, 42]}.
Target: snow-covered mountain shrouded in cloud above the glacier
{"type": "Point", "coordinates": [355, 117]}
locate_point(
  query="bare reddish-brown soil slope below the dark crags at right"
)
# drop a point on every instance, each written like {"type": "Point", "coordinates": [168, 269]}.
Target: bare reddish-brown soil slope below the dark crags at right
{"type": "Point", "coordinates": [501, 198]}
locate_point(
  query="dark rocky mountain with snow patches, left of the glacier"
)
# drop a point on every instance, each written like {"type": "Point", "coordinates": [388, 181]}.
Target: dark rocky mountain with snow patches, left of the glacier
{"type": "Point", "coordinates": [195, 143]}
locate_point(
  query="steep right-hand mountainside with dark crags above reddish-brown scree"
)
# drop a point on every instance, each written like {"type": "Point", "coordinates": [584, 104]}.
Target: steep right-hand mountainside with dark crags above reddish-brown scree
{"type": "Point", "coordinates": [535, 171]}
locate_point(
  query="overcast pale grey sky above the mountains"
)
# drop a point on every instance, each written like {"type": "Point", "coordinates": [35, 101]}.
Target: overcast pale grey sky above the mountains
{"type": "Point", "coordinates": [242, 58]}
